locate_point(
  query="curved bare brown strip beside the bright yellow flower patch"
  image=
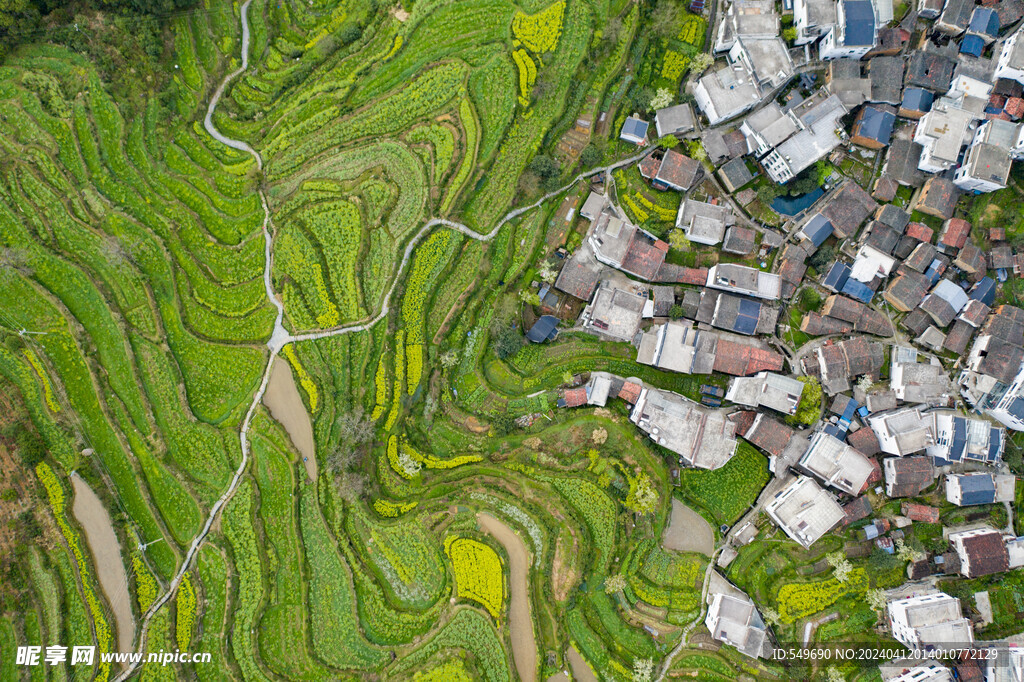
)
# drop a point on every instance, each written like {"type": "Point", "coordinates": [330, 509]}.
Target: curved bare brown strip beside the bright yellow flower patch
{"type": "Point", "coordinates": [521, 625]}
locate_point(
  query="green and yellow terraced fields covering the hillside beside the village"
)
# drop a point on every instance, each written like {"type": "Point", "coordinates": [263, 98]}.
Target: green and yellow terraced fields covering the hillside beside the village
{"type": "Point", "coordinates": [336, 189]}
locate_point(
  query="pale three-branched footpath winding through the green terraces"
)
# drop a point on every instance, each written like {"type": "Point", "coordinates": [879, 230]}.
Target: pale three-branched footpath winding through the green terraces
{"type": "Point", "coordinates": [282, 337]}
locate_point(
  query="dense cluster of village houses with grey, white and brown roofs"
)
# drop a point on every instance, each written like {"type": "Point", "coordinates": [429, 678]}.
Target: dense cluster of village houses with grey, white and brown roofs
{"type": "Point", "coordinates": [919, 358]}
